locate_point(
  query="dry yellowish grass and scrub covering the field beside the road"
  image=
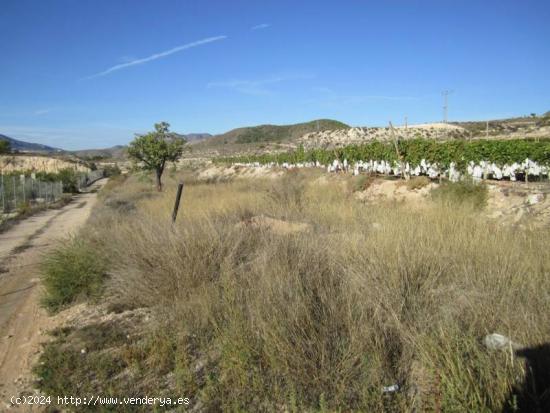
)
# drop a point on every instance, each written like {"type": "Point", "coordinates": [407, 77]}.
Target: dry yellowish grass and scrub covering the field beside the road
{"type": "Point", "coordinates": [321, 317]}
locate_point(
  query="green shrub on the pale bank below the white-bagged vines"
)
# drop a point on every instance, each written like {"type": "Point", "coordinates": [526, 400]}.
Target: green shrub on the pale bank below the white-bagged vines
{"type": "Point", "coordinates": [462, 192]}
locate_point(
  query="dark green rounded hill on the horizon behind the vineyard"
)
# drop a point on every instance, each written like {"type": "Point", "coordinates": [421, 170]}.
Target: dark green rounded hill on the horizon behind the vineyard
{"type": "Point", "coordinates": [274, 133]}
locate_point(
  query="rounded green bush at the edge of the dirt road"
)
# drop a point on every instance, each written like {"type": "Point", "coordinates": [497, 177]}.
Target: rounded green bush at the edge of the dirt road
{"type": "Point", "coordinates": [72, 271]}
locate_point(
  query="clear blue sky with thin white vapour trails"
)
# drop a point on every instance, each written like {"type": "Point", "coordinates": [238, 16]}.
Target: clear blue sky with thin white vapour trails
{"type": "Point", "coordinates": [90, 74]}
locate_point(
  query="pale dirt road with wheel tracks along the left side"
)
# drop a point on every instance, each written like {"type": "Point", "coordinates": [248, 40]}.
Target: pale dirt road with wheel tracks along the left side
{"type": "Point", "coordinates": [22, 321]}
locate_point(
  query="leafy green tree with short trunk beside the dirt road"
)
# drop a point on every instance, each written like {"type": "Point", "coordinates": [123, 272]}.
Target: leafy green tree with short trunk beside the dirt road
{"type": "Point", "coordinates": [156, 148]}
